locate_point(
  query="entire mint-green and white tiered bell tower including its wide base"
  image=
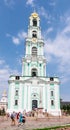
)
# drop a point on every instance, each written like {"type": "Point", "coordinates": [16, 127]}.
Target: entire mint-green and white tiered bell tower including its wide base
{"type": "Point", "coordinates": [33, 89]}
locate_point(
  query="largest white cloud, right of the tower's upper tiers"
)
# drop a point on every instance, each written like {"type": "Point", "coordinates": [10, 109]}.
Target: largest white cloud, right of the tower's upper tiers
{"type": "Point", "coordinates": [59, 48]}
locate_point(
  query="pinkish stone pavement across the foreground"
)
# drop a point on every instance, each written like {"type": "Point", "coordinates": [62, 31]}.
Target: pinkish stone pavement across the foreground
{"type": "Point", "coordinates": [33, 123]}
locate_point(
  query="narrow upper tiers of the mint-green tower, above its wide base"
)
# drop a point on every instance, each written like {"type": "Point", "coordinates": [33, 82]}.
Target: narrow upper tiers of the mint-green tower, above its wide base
{"type": "Point", "coordinates": [34, 62]}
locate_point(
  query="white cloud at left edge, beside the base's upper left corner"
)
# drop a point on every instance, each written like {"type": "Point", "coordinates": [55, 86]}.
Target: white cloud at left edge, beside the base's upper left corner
{"type": "Point", "coordinates": [5, 72]}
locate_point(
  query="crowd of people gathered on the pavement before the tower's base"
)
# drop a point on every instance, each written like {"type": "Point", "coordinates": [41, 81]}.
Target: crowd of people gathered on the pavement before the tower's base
{"type": "Point", "coordinates": [20, 118]}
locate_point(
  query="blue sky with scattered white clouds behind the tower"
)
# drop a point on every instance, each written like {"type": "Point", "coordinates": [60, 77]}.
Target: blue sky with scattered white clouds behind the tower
{"type": "Point", "coordinates": [55, 26]}
